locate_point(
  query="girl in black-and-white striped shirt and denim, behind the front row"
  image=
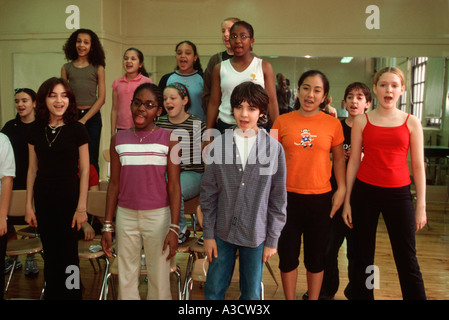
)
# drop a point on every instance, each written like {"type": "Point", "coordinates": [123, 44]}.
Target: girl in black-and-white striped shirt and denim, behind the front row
{"type": "Point", "coordinates": [190, 130]}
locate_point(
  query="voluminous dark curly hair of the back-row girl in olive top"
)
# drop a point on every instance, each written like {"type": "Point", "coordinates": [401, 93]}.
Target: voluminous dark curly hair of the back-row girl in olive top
{"type": "Point", "coordinates": [96, 53]}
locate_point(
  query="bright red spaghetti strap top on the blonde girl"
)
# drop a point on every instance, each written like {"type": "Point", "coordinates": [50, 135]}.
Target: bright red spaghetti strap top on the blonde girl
{"type": "Point", "coordinates": [384, 162]}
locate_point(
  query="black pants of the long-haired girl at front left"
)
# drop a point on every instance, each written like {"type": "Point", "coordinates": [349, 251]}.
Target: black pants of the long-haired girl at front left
{"type": "Point", "coordinates": [55, 206]}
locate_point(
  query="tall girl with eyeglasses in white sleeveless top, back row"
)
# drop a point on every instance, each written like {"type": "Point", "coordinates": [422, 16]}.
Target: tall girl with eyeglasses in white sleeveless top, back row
{"type": "Point", "coordinates": [243, 66]}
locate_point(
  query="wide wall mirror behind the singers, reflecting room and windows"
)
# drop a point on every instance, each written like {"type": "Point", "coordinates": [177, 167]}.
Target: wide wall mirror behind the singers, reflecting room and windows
{"type": "Point", "coordinates": [425, 100]}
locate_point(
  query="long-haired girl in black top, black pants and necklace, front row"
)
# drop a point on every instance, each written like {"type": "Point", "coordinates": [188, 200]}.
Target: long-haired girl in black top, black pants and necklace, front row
{"type": "Point", "coordinates": [57, 144]}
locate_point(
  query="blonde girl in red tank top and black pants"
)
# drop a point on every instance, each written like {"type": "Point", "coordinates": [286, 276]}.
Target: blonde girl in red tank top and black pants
{"type": "Point", "coordinates": [380, 182]}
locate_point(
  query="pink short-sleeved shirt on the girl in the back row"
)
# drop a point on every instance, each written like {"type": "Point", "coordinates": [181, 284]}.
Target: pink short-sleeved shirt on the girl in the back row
{"type": "Point", "coordinates": [125, 90]}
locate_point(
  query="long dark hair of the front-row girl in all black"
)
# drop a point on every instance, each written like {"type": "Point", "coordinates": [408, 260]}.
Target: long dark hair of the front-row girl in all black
{"type": "Point", "coordinates": [42, 112]}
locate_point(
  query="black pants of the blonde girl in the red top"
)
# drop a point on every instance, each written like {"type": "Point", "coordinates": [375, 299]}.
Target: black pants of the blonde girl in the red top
{"type": "Point", "coordinates": [396, 205]}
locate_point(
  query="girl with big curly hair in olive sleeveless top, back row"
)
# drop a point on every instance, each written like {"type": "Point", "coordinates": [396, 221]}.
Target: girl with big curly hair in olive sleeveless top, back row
{"type": "Point", "coordinates": [85, 74]}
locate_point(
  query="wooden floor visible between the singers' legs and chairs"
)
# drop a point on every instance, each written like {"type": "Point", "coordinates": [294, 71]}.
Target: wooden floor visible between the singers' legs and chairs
{"type": "Point", "coordinates": [433, 257]}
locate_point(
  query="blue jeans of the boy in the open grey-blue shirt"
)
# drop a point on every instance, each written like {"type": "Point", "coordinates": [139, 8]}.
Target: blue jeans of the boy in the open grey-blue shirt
{"type": "Point", "coordinates": [221, 269]}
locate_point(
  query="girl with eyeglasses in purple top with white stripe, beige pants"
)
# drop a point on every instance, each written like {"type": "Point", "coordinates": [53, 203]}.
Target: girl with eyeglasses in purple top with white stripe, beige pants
{"type": "Point", "coordinates": [145, 192]}
